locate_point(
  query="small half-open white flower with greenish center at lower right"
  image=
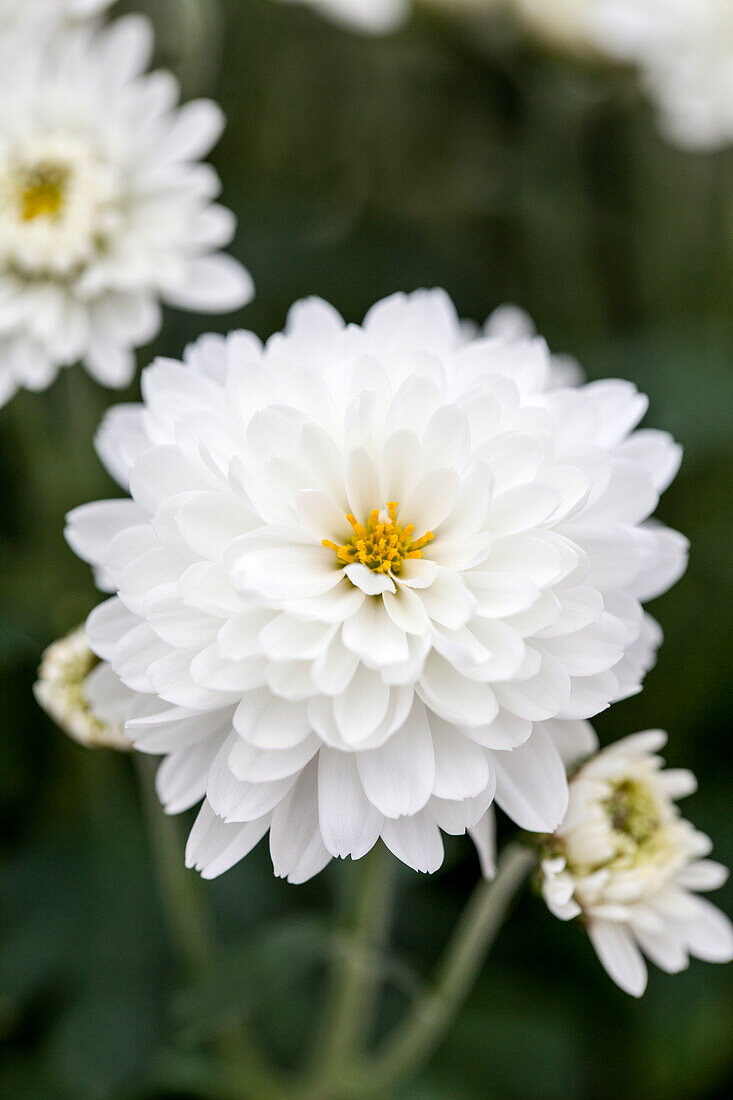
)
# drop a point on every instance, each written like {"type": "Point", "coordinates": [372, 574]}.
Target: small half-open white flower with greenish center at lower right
{"type": "Point", "coordinates": [626, 862]}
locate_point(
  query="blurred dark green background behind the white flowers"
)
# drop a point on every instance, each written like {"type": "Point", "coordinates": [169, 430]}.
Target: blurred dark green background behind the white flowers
{"type": "Point", "coordinates": [452, 156]}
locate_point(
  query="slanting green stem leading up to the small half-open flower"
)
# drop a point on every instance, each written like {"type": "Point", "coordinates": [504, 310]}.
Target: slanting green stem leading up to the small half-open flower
{"type": "Point", "coordinates": [414, 1041]}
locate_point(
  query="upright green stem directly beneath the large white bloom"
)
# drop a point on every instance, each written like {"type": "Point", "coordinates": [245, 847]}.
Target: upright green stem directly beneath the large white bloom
{"type": "Point", "coordinates": [356, 976]}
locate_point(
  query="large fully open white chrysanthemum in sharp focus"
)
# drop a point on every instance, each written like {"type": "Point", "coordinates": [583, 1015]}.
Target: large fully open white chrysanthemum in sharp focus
{"type": "Point", "coordinates": [373, 576]}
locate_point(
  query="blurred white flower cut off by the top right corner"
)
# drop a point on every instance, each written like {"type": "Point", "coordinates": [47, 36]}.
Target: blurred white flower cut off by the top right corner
{"type": "Point", "coordinates": [684, 50]}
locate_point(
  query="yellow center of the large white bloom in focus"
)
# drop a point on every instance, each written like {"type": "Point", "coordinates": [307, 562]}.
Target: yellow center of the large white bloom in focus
{"type": "Point", "coordinates": [381, 544]}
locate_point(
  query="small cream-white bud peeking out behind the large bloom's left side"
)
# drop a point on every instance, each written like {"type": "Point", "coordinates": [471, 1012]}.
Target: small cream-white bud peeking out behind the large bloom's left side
{"type": "Point", "coordinates": [71, 684]}
